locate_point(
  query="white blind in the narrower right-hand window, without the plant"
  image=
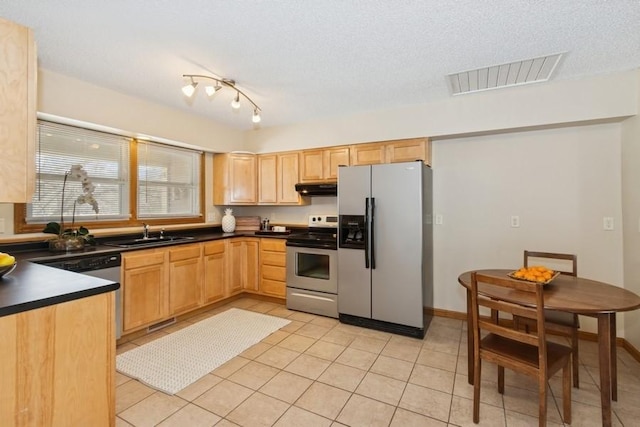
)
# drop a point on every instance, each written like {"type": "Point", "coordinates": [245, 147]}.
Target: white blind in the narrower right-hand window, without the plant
{"type": "Point", "coordinates": [168, 181]}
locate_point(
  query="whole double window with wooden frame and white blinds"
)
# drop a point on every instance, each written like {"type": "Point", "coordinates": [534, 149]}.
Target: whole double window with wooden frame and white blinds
{"type": "Point", "coordinates": [134, 181]}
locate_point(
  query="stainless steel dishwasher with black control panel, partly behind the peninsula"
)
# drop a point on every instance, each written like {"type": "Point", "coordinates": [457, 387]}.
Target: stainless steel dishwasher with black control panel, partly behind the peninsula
{"type": "Point", "coordinates": [101, 266]}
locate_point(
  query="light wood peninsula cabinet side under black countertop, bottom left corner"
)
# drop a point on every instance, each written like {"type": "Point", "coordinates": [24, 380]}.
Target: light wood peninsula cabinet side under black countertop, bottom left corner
{"type": "Point", "coordinates": [57, 364]}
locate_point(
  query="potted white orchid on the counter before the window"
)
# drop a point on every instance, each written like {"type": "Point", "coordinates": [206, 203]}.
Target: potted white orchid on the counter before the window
{"type": "Point", "coordinates": [73, 238]}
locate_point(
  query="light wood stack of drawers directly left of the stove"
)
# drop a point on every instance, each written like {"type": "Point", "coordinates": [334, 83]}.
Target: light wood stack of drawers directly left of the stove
{"type": "Point", "coordinates": [273, 273]}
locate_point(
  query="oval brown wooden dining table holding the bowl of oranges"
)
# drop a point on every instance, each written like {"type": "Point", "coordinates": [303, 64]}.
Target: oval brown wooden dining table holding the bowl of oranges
{"type": "Point", "coordinates": [581, 296]}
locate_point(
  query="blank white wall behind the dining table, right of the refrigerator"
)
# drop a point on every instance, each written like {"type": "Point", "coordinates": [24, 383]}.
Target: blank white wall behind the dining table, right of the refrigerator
{"type": "Point", "coordinates": [560, 182]}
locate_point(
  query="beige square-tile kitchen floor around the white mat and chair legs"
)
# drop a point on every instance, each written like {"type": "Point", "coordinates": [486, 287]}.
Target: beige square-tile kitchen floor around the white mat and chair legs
{"type": "Point", "coordinates": [318, 372]}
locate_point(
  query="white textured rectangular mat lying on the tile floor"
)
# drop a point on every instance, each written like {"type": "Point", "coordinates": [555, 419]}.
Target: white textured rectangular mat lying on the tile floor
{"type": "Point", "coordinates": [171, 363]}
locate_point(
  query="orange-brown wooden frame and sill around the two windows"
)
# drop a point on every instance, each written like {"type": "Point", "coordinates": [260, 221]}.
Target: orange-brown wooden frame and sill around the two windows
{"type": "Point", "coordinates": [20, 209]}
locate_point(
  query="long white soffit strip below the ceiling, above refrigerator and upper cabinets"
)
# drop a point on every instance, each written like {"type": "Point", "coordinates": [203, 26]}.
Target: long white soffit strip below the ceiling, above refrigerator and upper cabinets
{"type": "Point", "coordinates": [550, 104]}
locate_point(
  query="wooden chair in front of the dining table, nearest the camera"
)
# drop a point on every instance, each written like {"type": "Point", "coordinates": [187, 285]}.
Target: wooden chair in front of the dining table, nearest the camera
{"type": "Point", "coordinates": [523, 351]}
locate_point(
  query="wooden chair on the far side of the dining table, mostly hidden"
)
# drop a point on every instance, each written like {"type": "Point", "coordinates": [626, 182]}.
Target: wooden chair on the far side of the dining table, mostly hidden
{"type": "Point", "coordinates": [560, 323]}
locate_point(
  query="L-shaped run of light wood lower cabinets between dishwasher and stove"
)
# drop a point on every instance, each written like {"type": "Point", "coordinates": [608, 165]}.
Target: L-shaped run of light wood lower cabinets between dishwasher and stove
{"type": "Point", "coordinates": [161, 283]}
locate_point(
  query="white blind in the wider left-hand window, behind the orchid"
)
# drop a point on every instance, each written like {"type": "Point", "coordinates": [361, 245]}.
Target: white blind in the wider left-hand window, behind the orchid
{"type": "Point", "coordinates": [105, 158]}
